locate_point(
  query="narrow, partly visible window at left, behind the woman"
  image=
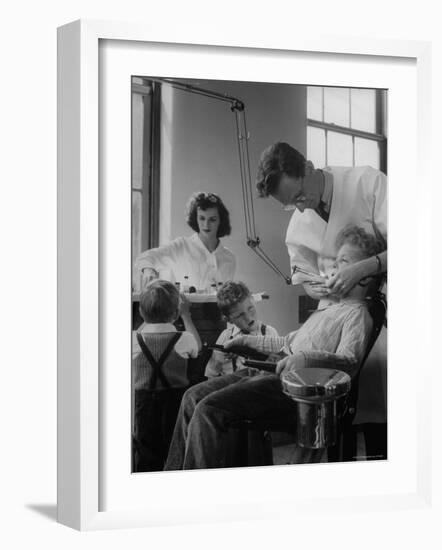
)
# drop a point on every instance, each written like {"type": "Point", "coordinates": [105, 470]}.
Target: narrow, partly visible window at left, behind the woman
{"type": "Point", "coordinates": [146, 104]}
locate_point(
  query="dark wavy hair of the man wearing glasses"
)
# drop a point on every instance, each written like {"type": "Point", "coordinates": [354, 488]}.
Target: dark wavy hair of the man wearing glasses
{"type": "Point", "coordinates": [278, 159]}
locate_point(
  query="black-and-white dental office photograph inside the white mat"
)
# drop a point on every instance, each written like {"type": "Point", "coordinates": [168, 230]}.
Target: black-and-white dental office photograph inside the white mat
{"type": "Point", "coordinates": [259, 273]}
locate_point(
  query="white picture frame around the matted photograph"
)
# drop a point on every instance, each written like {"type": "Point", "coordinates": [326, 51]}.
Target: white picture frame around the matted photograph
{"type": "Point", "coordinates": [80, 293]}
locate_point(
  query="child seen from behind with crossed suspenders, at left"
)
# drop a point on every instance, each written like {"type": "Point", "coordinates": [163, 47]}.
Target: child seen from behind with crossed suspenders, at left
{"type": "Point", "coordinates": [159, 372]}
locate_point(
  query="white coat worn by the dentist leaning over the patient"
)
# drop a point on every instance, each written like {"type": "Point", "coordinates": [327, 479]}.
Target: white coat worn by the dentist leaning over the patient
{"type": "Point", "coordinates": [359, 198]}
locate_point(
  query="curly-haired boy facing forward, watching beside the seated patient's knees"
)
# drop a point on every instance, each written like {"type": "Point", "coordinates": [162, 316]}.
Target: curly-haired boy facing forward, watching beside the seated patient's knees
{"type": "Point", "coordinates": [237, 305]}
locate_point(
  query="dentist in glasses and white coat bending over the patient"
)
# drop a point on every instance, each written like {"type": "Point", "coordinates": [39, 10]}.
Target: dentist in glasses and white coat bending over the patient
{"type": "Point", "coordinates": [324, 202]}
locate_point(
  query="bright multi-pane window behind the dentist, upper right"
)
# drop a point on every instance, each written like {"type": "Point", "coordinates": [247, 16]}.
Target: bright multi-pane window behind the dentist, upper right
{"type": "Point", "coordinates": [346, 127]}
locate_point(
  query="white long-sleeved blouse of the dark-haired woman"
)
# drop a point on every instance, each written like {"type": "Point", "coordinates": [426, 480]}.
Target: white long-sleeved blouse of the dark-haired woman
{"type": "Point", "coordinates": [187, 256]}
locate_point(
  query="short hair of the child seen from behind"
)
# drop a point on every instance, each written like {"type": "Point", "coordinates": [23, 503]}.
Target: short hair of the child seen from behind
{"type": "Point", "coordinates": [160, 302]}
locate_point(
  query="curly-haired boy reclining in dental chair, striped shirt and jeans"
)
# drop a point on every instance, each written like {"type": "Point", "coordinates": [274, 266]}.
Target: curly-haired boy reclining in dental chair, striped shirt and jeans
{"type": "Point", "coordinates": [335, 336]}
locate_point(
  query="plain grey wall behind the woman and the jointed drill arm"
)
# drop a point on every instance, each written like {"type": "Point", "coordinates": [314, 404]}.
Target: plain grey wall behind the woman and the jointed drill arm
{"type": "Point", "coordinates": [199, 151]}
